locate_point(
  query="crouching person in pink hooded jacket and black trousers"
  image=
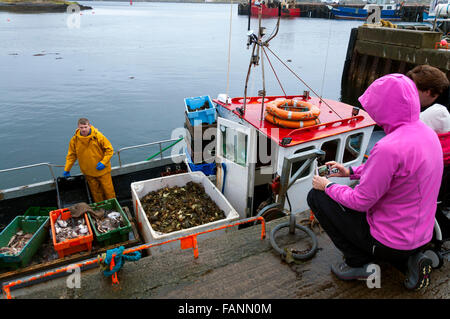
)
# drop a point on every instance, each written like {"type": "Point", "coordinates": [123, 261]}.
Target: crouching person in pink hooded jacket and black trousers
{"type": "Point", "coordinates": [389, 215]}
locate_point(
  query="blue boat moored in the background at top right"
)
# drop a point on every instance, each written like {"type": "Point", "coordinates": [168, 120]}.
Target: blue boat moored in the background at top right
{"type": "Point", "coordinates": [389, 11]}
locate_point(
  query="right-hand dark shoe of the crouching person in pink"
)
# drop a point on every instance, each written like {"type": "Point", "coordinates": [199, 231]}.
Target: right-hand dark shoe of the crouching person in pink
{"type": "Point", "coordinates": [418, 273]}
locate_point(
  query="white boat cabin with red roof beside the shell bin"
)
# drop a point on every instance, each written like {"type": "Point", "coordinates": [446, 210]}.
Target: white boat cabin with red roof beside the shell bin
{"type": "Point", "coordinates": [253, 149]}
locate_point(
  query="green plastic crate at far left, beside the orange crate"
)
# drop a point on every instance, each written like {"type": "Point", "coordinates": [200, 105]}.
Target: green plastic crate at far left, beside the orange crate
{"type": "Point", "coordinates": [29, 224]}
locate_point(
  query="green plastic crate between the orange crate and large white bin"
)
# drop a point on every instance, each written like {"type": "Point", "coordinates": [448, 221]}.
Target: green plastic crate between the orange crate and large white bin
{"type": "Point", "coordinates": [114, 236]}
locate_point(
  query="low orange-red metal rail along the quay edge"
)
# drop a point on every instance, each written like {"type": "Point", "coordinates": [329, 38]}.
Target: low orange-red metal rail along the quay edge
{"type": "Point", "coordinates": [186, 242]}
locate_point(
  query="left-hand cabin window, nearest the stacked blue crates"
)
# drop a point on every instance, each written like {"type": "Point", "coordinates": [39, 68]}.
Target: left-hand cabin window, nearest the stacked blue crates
{"type": "Point", "coordinates": [234, 146]}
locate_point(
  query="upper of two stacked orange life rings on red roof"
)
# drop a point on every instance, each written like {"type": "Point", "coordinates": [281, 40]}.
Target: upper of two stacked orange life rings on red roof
{"type": "Point", "coordinates": [293, 110]}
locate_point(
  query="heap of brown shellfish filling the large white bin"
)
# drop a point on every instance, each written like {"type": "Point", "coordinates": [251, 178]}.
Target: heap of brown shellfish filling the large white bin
{"type": "Point", "coordinates": [177, 208]}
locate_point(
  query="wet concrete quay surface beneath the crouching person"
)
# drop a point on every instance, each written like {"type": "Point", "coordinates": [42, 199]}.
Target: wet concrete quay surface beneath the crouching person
{"type": "Point", "coordinates": [237, 264]}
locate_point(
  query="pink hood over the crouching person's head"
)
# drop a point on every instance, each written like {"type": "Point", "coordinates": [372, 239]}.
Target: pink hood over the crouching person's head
{"type": "Point", "coordinates": [392, 101]}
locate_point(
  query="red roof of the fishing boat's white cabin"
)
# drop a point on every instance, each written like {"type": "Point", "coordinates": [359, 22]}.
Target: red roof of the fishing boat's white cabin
{"type": "Point", "coordinates": [335, 118]}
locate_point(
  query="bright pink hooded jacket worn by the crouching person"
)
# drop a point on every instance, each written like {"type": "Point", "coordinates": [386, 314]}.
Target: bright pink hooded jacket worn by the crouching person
{"type": "Point", "coordinates": [399, 184]}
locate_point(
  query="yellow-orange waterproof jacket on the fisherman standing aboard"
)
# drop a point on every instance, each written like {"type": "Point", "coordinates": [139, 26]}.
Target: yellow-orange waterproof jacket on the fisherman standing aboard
{"type": "Point", "coordinates": [89, 150]}
